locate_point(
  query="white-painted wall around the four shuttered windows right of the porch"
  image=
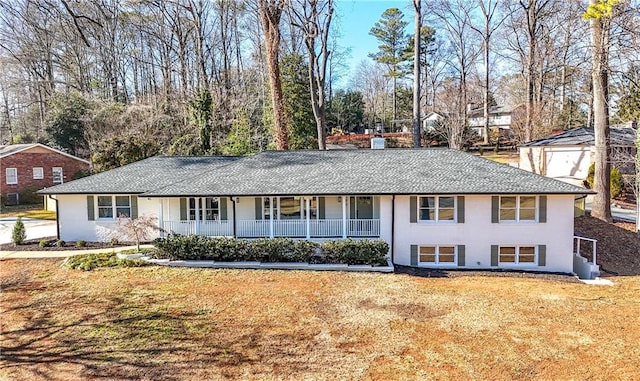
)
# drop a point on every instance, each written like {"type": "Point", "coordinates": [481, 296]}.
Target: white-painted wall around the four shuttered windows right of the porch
{"type": "Point", "coordinates": [478, 233]}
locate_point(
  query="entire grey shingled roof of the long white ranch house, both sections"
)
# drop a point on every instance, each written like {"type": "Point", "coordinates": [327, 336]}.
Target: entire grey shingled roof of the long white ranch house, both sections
{"type": "Point", "coordinates": [335, 172]}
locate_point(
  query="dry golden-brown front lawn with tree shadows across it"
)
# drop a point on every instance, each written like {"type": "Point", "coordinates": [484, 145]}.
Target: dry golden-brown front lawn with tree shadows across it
{"type": "Point", "coordinates": [157, 323]}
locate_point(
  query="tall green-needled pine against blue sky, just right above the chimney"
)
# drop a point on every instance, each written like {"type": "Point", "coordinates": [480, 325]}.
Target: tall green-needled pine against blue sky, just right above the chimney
{"type": "Point", "coordinates": [392, 51]}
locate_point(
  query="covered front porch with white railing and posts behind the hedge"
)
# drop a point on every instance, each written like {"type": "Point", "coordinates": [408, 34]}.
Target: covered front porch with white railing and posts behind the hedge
{"type": "Point", "coordinates": [276, 216]}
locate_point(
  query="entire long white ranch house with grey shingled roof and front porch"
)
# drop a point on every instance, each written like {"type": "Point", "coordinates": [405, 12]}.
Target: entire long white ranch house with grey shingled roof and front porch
{"type": "Point", "coordinates": [437, 208]}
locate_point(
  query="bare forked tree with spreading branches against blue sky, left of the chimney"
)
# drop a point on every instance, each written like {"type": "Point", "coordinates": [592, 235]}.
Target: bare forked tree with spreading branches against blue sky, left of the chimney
{"type": "Point", "coordinates": [313, 18]}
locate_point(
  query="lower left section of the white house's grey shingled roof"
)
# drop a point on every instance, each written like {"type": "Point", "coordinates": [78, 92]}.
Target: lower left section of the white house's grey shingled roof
{"type": "Point", "coordinates": [142, 176]}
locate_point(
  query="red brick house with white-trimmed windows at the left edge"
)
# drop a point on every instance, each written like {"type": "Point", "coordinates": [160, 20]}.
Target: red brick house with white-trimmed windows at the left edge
{"type": "Point", "coordinates": [27, 168]}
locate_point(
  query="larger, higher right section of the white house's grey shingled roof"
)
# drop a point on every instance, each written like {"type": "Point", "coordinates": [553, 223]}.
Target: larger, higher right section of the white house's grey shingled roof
{"type": "Point", "coordinates": [390, 171]}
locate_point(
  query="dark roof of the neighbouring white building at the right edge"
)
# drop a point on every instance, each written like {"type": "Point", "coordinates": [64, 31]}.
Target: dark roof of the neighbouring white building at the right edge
{"type": "Point", "coordinates": [619, 136]}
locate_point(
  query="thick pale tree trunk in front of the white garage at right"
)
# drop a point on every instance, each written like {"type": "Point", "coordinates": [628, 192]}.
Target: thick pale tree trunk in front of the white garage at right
{"type": "Point", "coordinates": [601, 207]}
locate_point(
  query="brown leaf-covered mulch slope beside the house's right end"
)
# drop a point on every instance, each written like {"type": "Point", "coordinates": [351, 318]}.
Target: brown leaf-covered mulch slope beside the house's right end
{"type": "Point", "coordinates": [618, 247]}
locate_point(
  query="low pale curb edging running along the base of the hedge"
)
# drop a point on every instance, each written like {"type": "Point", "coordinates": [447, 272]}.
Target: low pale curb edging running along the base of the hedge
{"type": "Point", "coordinates": [270, 265]}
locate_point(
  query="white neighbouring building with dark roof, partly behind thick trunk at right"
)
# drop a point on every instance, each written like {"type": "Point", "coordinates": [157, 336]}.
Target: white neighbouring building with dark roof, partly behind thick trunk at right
{"type": "Point", "coordinates": [567, 156]}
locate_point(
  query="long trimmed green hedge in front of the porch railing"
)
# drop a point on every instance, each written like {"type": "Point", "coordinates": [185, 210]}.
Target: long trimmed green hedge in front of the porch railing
{"type": "Point", "coordinates": [224, 249]}
